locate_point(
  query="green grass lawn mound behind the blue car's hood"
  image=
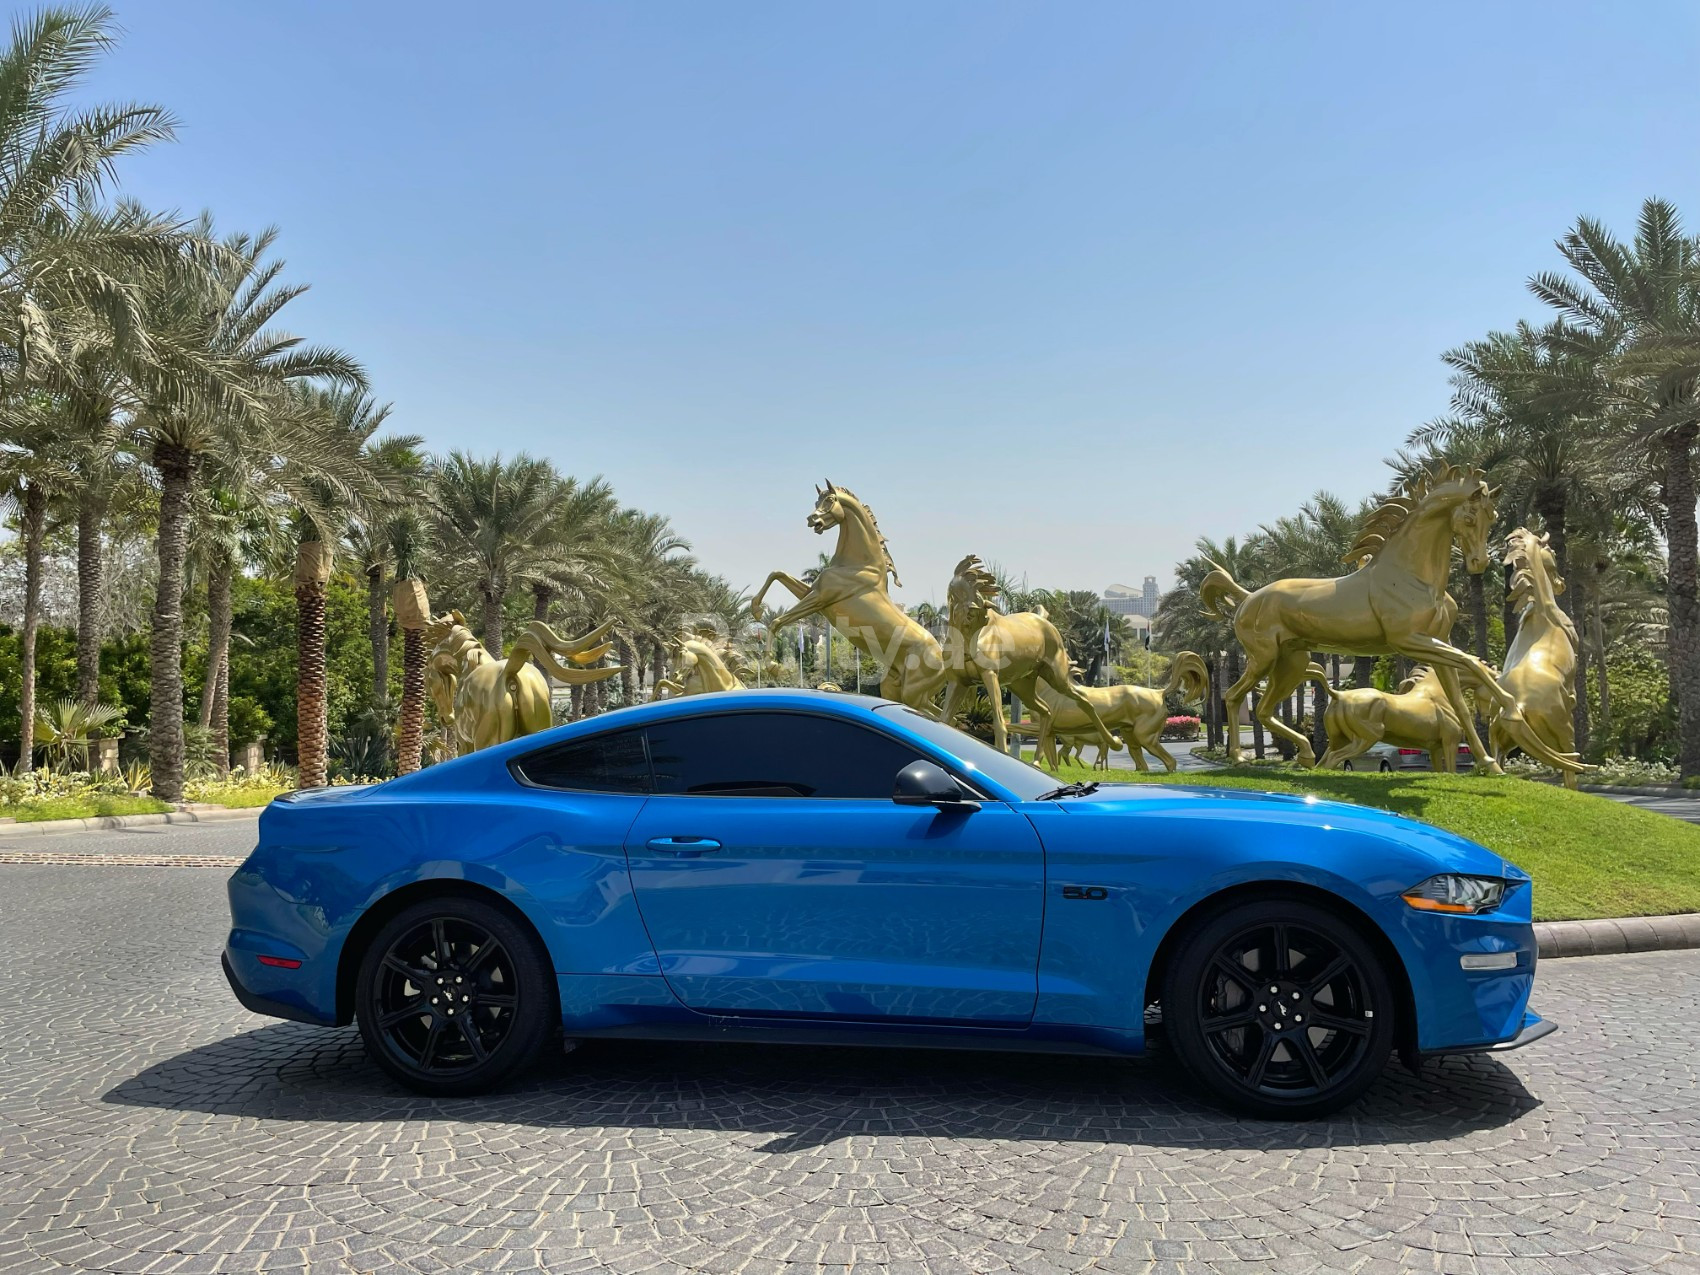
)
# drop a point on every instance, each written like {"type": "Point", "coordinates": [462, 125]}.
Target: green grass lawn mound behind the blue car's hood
{"type": "Point", "coordinates": [1590, 856]}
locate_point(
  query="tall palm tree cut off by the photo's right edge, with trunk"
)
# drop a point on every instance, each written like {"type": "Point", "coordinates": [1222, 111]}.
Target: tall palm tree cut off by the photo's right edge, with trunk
{"type": "Point", "coordinates": [1636, 307]}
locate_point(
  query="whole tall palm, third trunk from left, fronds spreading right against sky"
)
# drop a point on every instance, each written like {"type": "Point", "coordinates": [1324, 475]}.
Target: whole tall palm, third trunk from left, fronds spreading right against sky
{"type": "Point", "coordinates": [230, 400]}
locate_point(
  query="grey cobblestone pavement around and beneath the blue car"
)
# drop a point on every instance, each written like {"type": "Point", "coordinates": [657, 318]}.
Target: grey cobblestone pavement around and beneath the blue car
{"type": "Point", "coordinates": [150, 1125]}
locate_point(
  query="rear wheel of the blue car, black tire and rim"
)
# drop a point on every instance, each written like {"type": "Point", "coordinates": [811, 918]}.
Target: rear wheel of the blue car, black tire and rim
{"type": "Point", "coordinates": [455, 997]}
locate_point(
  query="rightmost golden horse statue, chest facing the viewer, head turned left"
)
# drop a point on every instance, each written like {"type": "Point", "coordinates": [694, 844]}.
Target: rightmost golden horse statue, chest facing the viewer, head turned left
{"type": "Point", "coordinates": [1541, 667]}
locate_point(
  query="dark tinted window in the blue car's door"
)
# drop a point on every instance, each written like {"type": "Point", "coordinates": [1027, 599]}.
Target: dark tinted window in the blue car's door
{"type": "Point", "coordinates": [776, 756]}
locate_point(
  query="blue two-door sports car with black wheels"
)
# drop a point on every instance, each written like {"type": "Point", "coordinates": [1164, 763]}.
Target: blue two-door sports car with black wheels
{"type": "Point", "coordinates": [808, 868]}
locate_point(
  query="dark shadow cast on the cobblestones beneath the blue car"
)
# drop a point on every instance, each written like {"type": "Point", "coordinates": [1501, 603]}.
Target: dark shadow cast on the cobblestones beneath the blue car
{"type": "Point", "coordinates": [803, 1097]}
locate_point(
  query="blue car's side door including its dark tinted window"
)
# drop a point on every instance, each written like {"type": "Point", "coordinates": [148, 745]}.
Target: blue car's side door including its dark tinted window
{"type": "Point", "coordinates": [776, 876]}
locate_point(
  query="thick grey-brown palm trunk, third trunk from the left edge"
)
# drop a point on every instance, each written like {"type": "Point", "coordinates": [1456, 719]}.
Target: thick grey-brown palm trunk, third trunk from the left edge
{"type": "Point", "coordinates": [166, 645]}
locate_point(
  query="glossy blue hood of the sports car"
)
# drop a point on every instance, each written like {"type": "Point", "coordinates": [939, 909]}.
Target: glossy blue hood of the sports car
{"type": "Point", "coordinates": [1291, 808]}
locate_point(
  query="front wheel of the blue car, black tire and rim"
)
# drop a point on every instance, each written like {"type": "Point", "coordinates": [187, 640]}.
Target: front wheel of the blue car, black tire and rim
{"type": "Point", "coordinates": [1249, 1046]}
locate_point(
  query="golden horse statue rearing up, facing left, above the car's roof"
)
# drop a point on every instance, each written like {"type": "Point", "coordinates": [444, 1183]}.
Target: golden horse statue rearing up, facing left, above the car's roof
{"type": "Point", "coordinates": [853, 594]}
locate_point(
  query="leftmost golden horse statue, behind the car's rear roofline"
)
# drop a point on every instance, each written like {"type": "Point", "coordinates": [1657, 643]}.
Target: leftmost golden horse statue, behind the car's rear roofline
{"type": "Point", "coordinates": [485, 701]}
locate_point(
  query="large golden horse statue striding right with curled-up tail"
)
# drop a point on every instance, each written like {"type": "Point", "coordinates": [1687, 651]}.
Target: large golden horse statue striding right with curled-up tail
{"type": "Point", "coordinates": [1395, 604]}
